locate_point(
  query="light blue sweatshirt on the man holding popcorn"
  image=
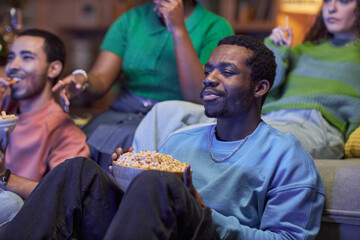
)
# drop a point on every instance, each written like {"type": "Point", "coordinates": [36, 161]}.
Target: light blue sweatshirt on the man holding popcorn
{"type": "Point", "coordinates": [269, 189]}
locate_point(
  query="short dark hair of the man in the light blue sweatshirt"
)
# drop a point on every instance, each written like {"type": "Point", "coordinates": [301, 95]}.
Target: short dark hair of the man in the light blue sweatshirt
{"type": "Point", "coordinates": [262, 63]}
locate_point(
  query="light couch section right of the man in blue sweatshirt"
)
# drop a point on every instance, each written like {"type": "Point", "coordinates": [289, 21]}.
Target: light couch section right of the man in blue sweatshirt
{"type": "Point", "coordinates": [341, 216]}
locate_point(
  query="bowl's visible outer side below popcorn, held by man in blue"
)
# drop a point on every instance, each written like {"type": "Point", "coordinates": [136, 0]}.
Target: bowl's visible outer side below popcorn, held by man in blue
{"type": "Point", "coordinates": [124, 175]}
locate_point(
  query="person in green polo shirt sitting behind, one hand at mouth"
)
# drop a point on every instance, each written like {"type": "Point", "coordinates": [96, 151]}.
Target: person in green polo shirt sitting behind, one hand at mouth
{"type": "Point", "coordinates": [160, 49]}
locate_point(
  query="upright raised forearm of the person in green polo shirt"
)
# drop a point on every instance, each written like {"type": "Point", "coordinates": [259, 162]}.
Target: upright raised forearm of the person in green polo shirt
{"type": "Point", "coordinates": [190, 70]}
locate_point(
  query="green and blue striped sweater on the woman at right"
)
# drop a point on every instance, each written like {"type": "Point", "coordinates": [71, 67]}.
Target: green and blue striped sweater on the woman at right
{"type": "Point", "coordinates": [321, 77]}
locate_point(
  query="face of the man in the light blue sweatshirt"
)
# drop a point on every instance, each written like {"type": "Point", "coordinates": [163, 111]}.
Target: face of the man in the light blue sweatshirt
{"type": "Point", "coordinates": [227, 88]}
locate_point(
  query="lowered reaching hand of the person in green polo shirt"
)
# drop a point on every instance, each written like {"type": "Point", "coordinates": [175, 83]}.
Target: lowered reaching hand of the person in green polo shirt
{"type": "Point", "coordinates": [69, 87]}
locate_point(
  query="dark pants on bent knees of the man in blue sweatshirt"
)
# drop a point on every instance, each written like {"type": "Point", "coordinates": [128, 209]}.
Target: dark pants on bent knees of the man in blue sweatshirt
{"type": "Point", "coordinates": [79, 200]}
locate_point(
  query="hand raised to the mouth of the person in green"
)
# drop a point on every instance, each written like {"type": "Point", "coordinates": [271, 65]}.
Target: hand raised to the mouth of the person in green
{"type": "Point", "coordinates": [172, 13]}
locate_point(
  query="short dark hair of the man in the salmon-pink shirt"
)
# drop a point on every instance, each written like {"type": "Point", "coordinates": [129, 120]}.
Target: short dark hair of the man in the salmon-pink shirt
{"type": "Point", "coordinates": [54, 47]}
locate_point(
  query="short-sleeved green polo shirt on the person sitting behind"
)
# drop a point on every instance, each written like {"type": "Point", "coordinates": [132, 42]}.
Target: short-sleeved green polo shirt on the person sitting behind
{"type": "Point", "coordinates": [147, 48]}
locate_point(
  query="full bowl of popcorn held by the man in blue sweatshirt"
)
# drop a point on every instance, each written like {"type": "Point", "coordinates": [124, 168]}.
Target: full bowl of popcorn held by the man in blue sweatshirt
{"type": "Point", "coordinates": [131, 164]}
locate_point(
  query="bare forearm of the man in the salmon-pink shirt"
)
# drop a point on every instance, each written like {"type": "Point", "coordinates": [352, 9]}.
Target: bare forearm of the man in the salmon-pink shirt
{"type": "Point", "coordinates": [21, 186]}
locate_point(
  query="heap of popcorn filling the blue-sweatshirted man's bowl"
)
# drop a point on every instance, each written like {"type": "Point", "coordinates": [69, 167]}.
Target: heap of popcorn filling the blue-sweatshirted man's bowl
{"type": "Point", "coordinates": [151, 160]}
